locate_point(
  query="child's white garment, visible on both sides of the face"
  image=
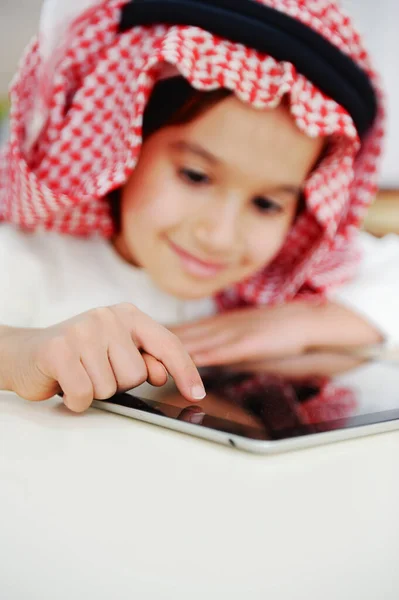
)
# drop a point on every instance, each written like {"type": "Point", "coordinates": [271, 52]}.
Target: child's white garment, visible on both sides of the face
{"type": "Point", "coordinates": [47, 278]}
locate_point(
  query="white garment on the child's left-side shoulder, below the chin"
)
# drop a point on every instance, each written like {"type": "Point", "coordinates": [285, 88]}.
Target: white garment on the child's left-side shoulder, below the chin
{"type": "Point", "coordinates": [47, 278]}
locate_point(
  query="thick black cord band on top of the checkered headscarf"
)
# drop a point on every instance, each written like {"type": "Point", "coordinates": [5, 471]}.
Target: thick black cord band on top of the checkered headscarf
{"type": "Point", "coordinates": [271, 32]}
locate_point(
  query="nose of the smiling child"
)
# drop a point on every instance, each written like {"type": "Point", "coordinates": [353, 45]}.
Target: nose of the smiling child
{"type": "Point", "coordinates": [217, 229]}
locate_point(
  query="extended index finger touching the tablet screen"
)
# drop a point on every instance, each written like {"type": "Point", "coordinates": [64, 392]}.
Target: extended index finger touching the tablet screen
{"type": "Point", "coordinates": [167, 348]}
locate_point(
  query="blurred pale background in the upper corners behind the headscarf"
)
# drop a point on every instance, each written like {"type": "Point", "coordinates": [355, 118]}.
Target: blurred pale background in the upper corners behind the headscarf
{"type": "Point", "coordinates": [378, 21]}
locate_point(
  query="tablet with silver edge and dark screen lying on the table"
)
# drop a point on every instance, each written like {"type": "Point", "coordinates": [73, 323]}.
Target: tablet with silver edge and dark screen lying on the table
{"type": "Point", "coordinates": [269, 412]}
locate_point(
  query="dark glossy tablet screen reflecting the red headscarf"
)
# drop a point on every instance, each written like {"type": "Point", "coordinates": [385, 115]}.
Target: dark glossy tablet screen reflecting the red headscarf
{"type": "Point", "coordinates": [272, 406]}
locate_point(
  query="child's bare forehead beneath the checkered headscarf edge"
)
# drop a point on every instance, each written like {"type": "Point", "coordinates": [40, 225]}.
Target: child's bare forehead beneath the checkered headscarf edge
{"type": "Point", "coordinates": [263, 142]}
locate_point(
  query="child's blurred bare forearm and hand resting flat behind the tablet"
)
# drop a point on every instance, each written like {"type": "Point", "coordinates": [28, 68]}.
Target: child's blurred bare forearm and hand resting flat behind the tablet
{"type": "Point", "coordinates": [259, 335]}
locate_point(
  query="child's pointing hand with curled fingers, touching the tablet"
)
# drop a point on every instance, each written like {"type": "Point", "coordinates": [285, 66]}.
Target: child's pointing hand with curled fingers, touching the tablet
{"type": "Point", "coordinates": [96, 354]}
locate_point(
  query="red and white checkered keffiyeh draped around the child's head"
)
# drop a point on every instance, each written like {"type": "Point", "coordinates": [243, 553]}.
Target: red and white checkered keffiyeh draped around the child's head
{"type": "Point", "coordinates": [77, 108]}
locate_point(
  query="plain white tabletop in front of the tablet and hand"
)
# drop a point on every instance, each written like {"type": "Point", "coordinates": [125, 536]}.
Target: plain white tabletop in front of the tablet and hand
{"type": "Point", "coordinates": [99, 506]}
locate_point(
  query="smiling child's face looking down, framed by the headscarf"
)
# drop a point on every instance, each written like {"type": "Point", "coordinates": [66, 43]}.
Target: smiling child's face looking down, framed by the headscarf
{"type": "Point", "coordinates": [211, 202]}
